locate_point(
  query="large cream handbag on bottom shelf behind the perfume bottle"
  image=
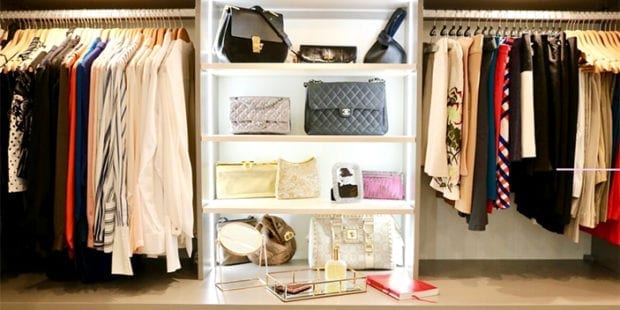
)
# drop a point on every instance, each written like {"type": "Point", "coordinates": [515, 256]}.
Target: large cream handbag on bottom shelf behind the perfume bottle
{"type": "Point", "coordinates": [365, 241]}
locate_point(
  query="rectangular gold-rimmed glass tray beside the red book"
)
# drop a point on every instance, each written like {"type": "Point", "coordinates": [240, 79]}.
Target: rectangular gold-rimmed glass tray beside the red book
{"type": "Point", "coordinates": [309, 283]}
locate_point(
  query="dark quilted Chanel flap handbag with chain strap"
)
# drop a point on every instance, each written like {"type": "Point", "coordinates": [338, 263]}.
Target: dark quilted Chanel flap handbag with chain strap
{"type": "Point", "coordinates": [345, 108]}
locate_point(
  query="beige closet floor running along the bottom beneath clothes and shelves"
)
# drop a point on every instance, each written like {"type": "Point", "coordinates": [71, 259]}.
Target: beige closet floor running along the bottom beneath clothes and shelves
{"type": "Point", "coordinates": [462, 284]}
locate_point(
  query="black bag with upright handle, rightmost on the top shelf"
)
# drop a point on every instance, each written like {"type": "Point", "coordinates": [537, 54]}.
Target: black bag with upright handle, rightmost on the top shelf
{"type": "Point", "coordinates": [386, 49]}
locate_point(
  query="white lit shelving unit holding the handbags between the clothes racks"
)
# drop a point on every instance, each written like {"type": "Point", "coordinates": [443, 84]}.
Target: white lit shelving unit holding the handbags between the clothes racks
{"type": "Point", "coordinates": [348, 22]}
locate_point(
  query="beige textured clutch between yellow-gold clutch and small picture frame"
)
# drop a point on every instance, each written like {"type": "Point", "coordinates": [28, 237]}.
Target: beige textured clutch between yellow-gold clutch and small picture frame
{"type": "Point", "coordinates": [297, 180]}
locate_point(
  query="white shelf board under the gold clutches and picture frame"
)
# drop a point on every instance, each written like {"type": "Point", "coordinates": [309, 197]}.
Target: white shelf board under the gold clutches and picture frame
{"type": "Point", "coordinates": [307, 206]}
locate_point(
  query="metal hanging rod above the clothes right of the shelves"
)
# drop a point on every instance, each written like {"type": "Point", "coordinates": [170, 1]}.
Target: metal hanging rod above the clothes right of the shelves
{"type": "Point", "coordinates": [522, 15]}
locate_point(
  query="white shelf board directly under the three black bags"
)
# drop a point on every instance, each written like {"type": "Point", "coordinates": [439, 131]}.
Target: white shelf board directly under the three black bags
{"type": "Point", "coordinates": [306, 69]}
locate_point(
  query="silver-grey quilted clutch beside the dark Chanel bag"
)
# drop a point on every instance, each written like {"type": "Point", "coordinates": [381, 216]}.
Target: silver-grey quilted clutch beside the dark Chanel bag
{"type": "Point", "coordinates": [260, 115]}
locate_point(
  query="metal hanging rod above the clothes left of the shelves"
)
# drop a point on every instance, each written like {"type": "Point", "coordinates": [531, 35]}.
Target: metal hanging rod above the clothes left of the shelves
{"type": "Point", "coordinates": [76, 14]}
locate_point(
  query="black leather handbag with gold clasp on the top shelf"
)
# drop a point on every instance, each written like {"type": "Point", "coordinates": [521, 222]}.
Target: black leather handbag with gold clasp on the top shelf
{"type": "Point", "coordinates": [252, 35]}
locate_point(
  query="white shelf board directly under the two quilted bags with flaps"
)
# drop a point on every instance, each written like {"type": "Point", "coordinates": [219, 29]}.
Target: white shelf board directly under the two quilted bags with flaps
{"type": "Point", "coordinates": [306, 138]}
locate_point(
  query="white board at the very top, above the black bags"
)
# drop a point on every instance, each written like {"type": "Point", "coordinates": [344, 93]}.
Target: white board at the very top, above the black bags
{"type": "Point", "coordinates": [319, 4]}
